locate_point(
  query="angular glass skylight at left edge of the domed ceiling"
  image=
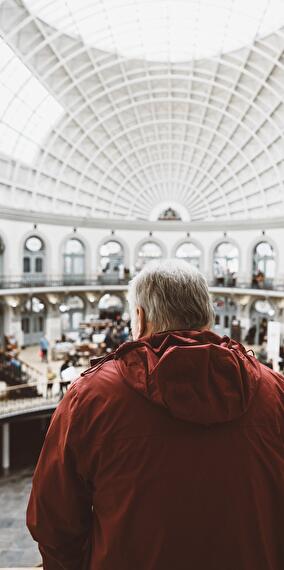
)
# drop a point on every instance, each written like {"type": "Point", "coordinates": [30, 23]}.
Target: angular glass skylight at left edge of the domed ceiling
{"type": "Point", "coordinates": [27, 113]}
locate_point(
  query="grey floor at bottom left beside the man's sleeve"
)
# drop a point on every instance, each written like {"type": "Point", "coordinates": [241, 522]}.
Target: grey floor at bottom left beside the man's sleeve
{"type": "Point", "coordinates": [17, 548]}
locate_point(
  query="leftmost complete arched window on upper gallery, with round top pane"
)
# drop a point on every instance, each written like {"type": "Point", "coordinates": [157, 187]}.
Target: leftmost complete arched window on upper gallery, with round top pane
{"type": "Point", "coordinates": [34, 258]}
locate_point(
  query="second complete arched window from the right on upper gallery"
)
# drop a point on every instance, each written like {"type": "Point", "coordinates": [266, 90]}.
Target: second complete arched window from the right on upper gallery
{"type": "Point", "coordinates": [226, 264]}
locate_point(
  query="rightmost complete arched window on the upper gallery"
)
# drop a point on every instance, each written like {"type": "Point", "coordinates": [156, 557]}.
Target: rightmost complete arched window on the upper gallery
{"type": "Point", "coordinates": [263, 265]}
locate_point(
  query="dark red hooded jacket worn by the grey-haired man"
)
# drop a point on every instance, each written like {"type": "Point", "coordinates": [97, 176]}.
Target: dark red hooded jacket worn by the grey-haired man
{"type": "Point", "coordinates": [167, 455]}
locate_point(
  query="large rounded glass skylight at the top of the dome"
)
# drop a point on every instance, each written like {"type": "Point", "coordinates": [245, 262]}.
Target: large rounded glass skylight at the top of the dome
{"type": "Point", "coordinates": [163, 30]}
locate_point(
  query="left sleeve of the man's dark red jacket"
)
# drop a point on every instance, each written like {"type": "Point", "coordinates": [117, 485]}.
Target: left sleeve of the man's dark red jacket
{"type": "Point", "coordinates": [59, 514]}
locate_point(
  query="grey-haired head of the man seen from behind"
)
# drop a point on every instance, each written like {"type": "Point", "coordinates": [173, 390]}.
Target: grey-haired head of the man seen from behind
{"type": "Point", "coordinates": [169, 295]}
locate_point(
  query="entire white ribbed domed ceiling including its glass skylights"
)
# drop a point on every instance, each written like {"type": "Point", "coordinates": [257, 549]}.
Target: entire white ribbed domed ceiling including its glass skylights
{"type": "Point", "coordinates": [86, 130]}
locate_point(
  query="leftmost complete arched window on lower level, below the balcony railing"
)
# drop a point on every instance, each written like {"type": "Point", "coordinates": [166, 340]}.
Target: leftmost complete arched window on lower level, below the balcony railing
{"type": "Point", "coordinates": [33, 314]}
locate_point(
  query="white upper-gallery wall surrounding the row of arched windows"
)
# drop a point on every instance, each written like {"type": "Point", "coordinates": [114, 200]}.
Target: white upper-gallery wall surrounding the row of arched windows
{"type": "Point", "coordinates": [15, 233]}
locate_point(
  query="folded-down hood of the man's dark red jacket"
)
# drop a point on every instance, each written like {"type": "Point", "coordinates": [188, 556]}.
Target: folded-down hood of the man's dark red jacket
{"type": "Point", "coordinates": [197, 377]}
